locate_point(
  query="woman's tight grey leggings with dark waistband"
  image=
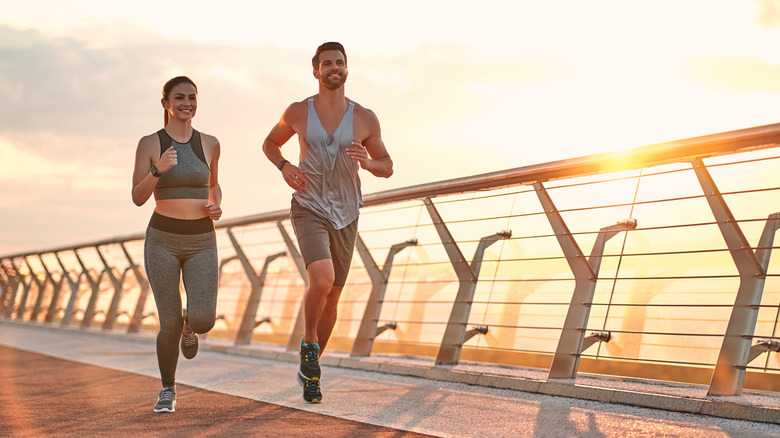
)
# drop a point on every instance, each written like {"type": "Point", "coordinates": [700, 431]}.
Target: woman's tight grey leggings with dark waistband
{"type": "Point", "coordinates": [169, 257]}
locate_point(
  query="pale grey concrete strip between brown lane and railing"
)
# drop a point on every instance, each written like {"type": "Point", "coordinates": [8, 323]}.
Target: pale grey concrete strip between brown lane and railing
{"type": "Point", "coordinates": [461, 401]}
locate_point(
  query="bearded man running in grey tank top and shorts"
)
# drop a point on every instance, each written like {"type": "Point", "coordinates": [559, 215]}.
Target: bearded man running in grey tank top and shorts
{"type": "Point", "coordinates": [337, 136]}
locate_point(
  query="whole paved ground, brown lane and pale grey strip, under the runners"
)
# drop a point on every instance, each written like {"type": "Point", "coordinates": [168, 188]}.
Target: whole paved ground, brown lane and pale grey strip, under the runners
{"type": "Point", "coordinates": [81, 383]}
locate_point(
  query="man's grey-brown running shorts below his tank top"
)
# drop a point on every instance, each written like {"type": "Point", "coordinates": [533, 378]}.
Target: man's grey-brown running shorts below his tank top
{"type": "Point", "coordinates": [318, 240]}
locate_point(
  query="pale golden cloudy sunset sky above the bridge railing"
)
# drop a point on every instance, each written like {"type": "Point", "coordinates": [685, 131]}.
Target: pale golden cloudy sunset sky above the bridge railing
{"type": "Point", "coordinates": [460, 88]}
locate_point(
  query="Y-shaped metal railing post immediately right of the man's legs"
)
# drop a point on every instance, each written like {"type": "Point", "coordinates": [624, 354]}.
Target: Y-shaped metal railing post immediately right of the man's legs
{"type": "Point", "coordinates": [379, 277]}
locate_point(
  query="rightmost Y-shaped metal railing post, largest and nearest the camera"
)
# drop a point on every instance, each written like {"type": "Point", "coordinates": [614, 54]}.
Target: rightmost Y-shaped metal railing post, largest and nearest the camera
{"type": "Point", "coordinates": [729, 373]}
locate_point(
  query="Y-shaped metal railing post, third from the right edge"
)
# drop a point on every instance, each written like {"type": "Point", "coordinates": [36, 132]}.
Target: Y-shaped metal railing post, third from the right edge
{"type": "Point", "coordinates": [455, 332]}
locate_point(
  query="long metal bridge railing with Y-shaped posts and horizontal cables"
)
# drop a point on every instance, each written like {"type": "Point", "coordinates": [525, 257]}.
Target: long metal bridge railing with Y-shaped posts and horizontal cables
{"type": "Point", "coordinates": [651, 263]}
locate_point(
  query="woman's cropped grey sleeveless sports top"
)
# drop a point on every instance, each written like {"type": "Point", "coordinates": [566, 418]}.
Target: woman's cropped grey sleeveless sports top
{"type": "Point", "coordinates": [189, 178]}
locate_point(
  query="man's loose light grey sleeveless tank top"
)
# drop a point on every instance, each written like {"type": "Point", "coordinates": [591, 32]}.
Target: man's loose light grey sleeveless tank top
{"type": "Point", "coordinates": [333, 186]}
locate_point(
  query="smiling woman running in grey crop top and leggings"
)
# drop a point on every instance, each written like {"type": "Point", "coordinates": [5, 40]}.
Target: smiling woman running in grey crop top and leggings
{"type": "Point", "coordinates": [179, 166]}
